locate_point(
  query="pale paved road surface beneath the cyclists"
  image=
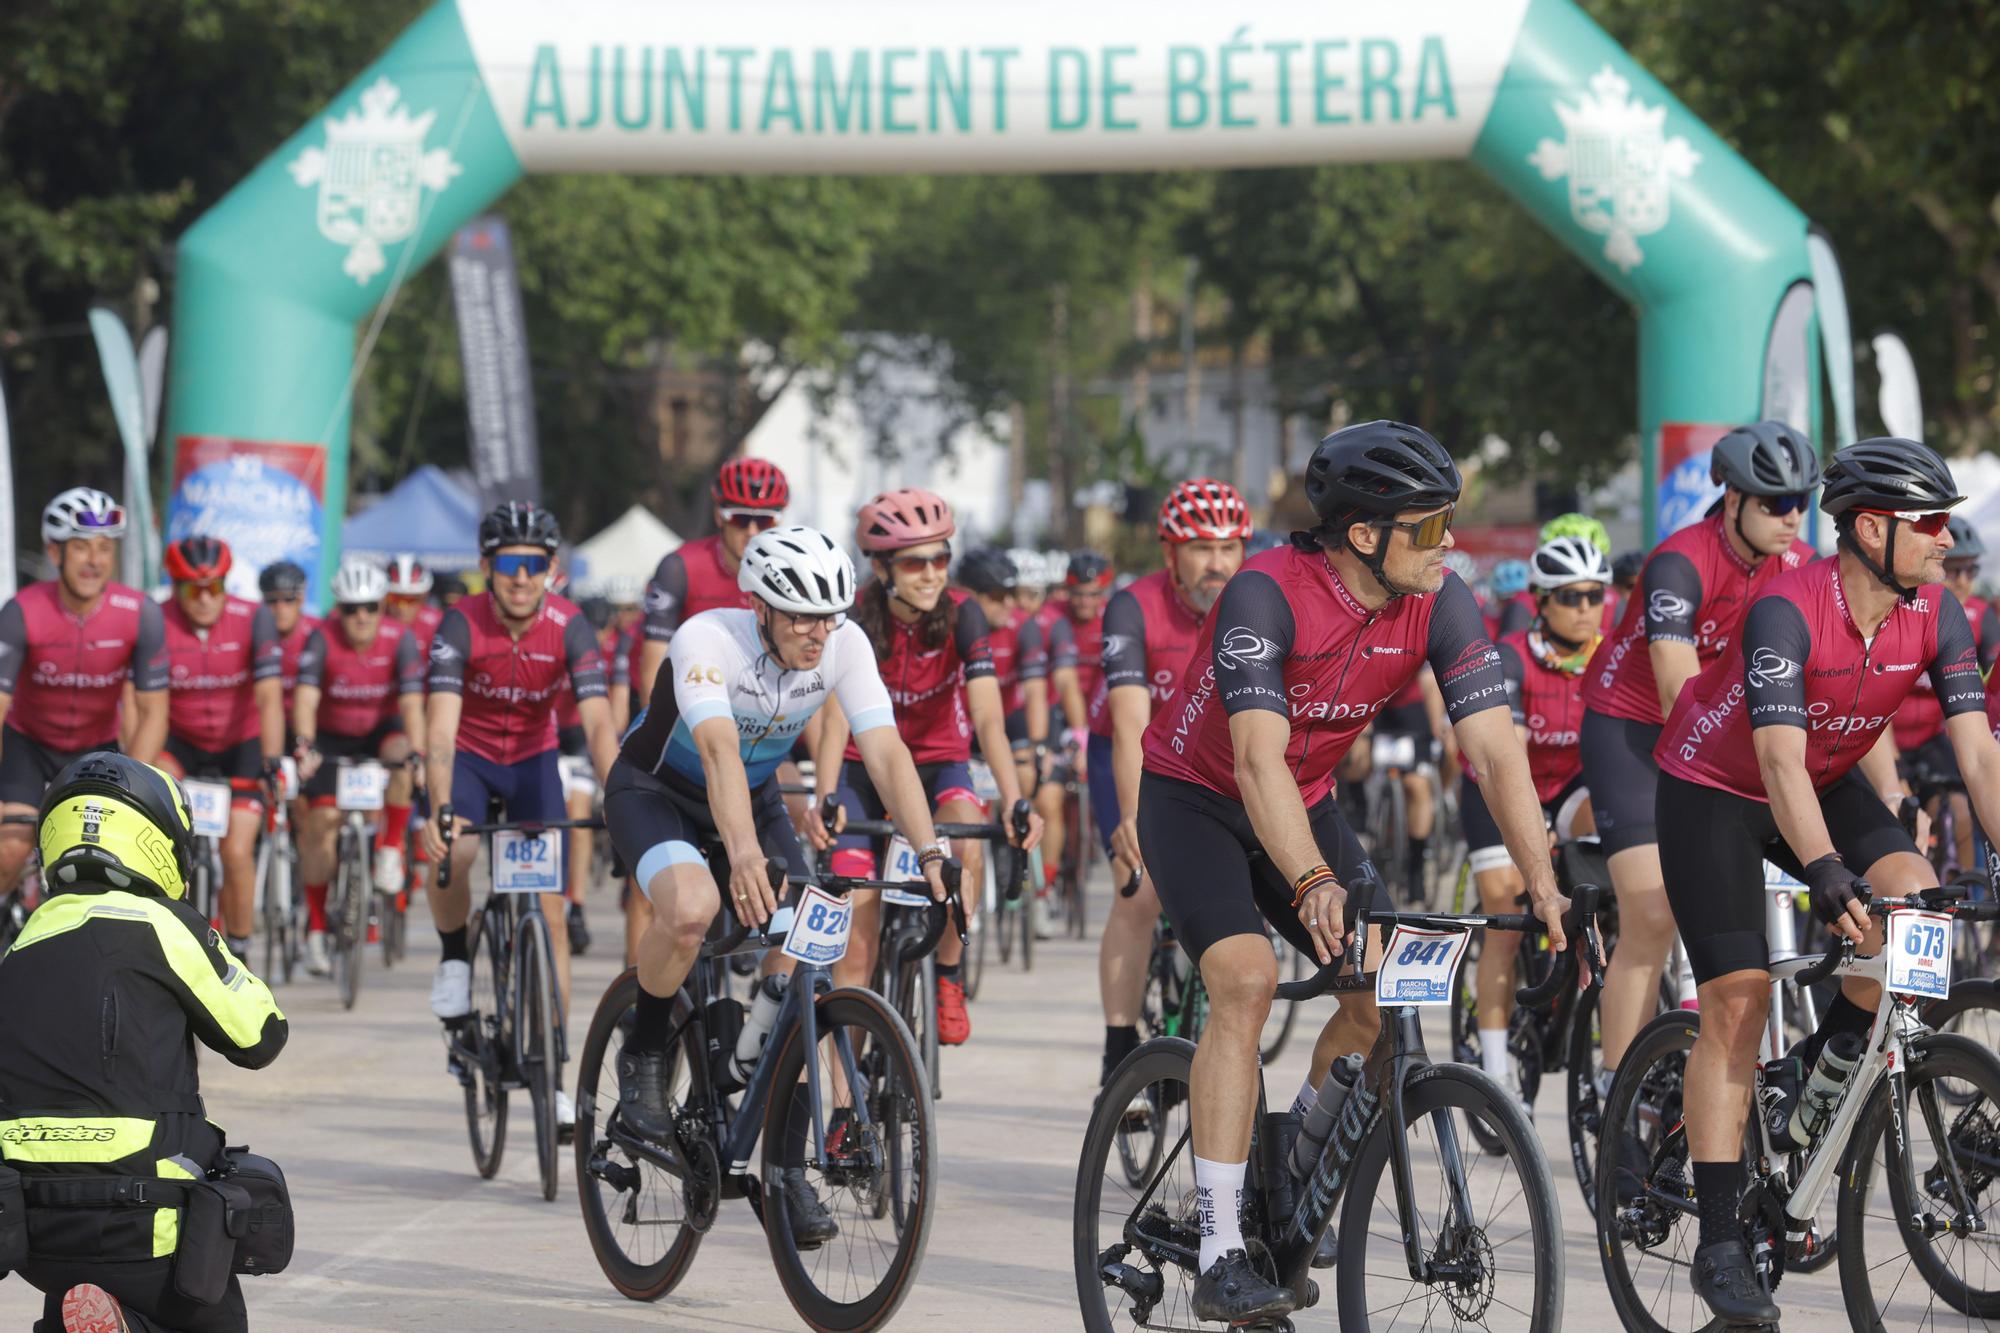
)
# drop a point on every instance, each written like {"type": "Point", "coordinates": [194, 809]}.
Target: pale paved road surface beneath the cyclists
{"type": "Point", "coordinates": [397, 1232]}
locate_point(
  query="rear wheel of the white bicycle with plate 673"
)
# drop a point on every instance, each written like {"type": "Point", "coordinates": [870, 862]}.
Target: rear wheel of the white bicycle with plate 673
{"type": "Point", "coordinates": [1647, 1240]}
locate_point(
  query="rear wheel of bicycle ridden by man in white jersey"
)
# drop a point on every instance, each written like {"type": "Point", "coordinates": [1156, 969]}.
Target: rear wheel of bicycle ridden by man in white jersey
{"type": "Point", "coordinates": [633, 1192]}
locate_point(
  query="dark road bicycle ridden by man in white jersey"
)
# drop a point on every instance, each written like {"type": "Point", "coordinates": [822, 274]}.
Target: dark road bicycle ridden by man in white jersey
{"type": "Point", "coordinates": [837, 1096]}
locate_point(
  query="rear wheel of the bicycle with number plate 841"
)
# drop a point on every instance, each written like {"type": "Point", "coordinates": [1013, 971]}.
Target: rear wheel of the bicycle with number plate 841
{"type": "Point", "coordinates": [1149, 1078]}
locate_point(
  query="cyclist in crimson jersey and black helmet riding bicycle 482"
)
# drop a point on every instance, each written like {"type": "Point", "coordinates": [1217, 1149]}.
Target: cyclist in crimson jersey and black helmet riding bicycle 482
{"type": "Point", "coordinates": [495, 672]}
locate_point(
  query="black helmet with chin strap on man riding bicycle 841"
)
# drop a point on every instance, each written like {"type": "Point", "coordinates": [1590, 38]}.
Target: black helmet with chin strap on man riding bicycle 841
{"type": "Point", "coordinates": [1375, 471]}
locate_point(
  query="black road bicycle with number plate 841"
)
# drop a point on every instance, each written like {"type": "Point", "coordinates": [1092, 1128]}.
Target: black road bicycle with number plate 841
{"type": "Point", "coordinates": [1453, 1240]}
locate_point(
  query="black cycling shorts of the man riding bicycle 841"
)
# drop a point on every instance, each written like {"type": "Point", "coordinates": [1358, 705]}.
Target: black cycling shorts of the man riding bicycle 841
{"type": "Point", "coordinates": [1211, 870]}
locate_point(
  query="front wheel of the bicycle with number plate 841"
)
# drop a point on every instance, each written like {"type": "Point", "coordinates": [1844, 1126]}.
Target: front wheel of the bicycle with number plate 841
{"type": "Point", "coordinates": [1491, 1214]}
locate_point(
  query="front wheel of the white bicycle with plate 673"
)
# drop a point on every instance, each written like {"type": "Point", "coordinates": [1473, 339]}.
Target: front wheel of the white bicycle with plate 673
{"type": "Point", "coordinates": [1899, 1180]}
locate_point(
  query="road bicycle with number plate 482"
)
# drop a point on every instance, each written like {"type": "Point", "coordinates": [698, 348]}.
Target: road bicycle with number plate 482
{"type": "Point", "coordinates": [515, 1036]}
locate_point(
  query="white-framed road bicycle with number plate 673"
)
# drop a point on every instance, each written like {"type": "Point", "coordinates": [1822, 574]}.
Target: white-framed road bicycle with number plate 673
{"type": "Point", "coordinates": [1893, 1126]}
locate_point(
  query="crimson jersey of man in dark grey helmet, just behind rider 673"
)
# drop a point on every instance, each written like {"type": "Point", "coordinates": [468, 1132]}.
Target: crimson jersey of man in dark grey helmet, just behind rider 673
{"type": "Point", "coordinates": [1695, 589]}
